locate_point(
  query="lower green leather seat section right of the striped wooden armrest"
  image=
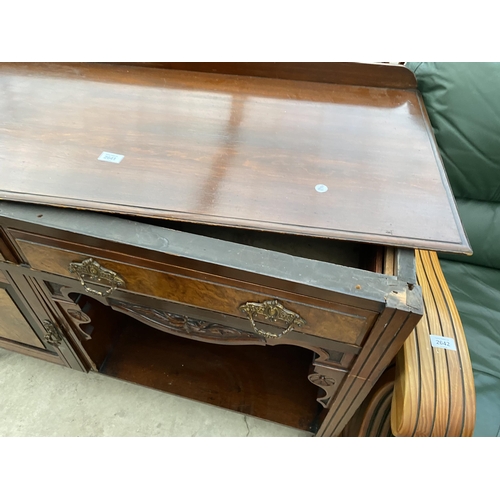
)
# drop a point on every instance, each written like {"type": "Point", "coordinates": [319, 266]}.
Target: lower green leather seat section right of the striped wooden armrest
{"type": "Point", "coordinates": [476, 291]}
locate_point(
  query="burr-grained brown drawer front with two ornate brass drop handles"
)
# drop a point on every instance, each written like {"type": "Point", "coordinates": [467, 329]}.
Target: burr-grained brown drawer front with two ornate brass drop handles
{"type": "Point", "coordinates": [201, 290]}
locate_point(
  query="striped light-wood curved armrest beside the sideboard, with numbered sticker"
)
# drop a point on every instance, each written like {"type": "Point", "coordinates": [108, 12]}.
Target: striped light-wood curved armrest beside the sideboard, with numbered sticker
{"type": "Point", "coordinates": [434, 391]}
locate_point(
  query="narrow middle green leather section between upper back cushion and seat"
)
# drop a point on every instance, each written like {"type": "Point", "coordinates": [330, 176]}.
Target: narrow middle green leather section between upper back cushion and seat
{"type": "Point", "coordinates": [481, 222]}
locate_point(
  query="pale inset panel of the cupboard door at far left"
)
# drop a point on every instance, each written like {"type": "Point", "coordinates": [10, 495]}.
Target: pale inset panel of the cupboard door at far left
{"type": "Point", "coordinates": [13, 325]}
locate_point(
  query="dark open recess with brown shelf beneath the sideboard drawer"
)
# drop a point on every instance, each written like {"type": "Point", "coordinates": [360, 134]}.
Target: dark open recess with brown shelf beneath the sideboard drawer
{"type": "Point", "coordinates": [262, 381]}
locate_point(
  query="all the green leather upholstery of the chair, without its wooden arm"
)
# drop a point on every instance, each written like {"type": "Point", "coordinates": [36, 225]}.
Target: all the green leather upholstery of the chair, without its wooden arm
{"type": "Point", "coordinates": [463, 103]}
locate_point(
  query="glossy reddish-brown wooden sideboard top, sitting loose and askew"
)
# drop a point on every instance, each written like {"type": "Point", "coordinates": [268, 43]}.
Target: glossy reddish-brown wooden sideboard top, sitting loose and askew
{"type": "Point", "coordinates": [229, 150]}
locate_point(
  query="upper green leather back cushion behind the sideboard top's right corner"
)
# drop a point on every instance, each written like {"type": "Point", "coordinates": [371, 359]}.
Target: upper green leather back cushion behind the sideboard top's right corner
{"type": "Point", "coordinates": [463, 103]}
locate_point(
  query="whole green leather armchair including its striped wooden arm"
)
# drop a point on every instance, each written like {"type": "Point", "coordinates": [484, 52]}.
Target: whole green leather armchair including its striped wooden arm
{"type": "Point", "coordinates": [430, 392]}
